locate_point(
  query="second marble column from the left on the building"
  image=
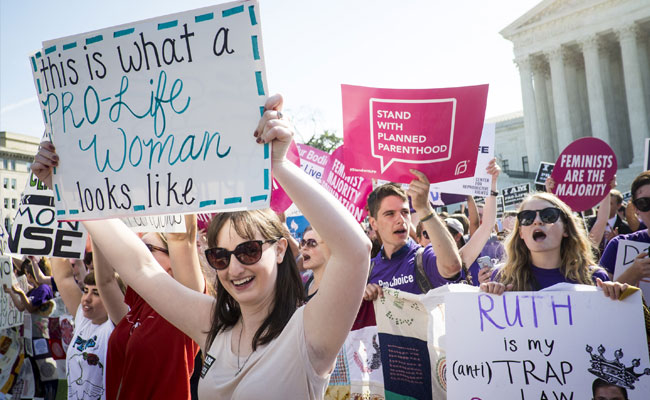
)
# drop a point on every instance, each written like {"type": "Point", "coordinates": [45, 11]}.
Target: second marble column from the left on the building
{"type": "Point", "coordinates": [560, 99]}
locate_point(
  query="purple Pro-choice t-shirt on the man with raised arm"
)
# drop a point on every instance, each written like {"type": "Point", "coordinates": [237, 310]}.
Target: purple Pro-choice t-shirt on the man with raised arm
{"type": "Point", "coordinates": [399, 271]}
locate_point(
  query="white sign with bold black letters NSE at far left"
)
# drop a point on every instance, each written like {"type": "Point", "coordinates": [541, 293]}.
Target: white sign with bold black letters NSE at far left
{"type": "Point", "coordinates": [35, 230]}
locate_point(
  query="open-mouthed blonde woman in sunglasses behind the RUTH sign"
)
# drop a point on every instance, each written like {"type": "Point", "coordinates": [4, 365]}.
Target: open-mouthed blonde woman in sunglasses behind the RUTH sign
{"type": "Point", "coordinates": [548, 245]}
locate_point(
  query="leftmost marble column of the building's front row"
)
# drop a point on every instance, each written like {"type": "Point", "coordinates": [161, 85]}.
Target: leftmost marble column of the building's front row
{"type": "Point", "coordinates": [530, 112]}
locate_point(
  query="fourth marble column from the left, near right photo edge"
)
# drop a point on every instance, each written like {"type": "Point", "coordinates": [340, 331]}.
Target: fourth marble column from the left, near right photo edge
{"type": "Point", "coordinates": [634, 91]}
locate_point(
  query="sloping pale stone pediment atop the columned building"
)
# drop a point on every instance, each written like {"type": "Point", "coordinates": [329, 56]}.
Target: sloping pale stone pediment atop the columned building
{"type": "Point", "coordinates": [546, 12]}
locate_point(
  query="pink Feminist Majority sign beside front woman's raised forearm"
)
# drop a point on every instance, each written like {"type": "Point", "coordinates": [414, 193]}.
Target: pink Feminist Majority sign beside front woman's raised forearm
{"type": "Point", "coordinates": [351, 191]}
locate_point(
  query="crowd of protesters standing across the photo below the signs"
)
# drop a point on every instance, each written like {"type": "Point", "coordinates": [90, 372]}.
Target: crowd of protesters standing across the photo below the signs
{"type": "Point", "coordinates": [149, 323]}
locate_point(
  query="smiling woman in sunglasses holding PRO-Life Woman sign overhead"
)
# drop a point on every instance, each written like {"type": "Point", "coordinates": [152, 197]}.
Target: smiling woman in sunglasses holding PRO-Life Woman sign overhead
{"type": "Point", "coordinates": [255, 331]}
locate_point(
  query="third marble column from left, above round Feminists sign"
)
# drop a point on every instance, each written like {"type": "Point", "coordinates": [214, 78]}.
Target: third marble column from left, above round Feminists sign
{"type": "Point", "coordinates": [597, 110]}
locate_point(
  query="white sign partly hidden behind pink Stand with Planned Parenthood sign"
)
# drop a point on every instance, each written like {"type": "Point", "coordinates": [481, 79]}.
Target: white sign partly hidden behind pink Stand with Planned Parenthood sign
{"type": "Point", "coordinates": [480, 183]}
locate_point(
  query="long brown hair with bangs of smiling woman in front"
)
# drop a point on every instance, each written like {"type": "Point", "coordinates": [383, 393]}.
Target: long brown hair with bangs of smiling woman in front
{"type": "Point", "coordinates": [288, 293]}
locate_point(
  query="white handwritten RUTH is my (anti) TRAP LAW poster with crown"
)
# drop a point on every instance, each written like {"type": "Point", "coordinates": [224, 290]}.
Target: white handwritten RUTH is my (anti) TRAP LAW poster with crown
{"type": "Point", "coordinates": [544, 345]}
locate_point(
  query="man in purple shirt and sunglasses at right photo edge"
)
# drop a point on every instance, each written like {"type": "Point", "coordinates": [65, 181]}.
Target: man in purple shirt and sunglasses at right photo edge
{"type": "Point", "coordinates": [640, 269]}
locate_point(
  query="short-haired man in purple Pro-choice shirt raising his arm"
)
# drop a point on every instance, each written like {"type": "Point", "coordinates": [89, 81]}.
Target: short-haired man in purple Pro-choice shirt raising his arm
{"type": "Point", "coordinates": [394, 266]}
